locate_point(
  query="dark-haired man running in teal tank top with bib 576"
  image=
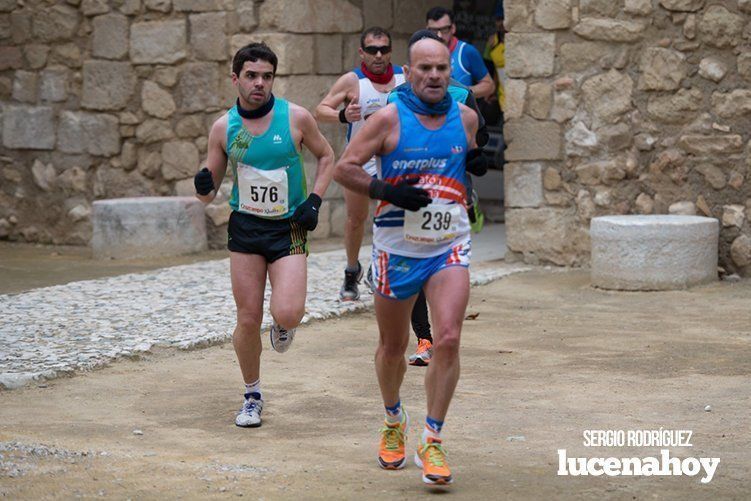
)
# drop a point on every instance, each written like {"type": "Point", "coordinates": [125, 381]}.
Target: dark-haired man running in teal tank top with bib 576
{"type": "Point", "coordinates": [261, 139]}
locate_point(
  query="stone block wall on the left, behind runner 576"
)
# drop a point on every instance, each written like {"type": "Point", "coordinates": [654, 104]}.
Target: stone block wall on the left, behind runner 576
{"type": "Point", "coordinates": [106, 99]}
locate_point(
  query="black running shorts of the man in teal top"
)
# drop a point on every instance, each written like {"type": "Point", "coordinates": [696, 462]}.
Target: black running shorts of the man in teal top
{"type": "Point", "coordinates": [271, 238]}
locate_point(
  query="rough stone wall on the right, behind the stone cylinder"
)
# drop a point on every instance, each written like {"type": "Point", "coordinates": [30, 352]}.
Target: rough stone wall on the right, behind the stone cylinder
{"type": "Point", "coordinates": [626, 107]}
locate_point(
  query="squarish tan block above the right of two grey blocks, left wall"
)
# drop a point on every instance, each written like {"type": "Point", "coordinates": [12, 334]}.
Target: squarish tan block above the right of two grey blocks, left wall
{"type": "Point", "coordinates": [107, 85]}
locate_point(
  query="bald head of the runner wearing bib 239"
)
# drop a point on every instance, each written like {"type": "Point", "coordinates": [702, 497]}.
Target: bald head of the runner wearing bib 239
{"type": "Point", "coordinates": [428, 69]}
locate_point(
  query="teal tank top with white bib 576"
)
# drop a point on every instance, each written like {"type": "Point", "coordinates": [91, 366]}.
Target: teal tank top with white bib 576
{"type": "Point", "coordinates": [268, 169]}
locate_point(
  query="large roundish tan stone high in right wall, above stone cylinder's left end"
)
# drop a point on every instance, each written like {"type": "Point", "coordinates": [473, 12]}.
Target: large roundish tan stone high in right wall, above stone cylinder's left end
{"type": "Point", "coordinates": [607, 96]}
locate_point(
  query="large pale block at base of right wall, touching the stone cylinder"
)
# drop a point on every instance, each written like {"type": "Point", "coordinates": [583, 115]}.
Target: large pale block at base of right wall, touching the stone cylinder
{"type": "Point", "coordinates": [548, 235]}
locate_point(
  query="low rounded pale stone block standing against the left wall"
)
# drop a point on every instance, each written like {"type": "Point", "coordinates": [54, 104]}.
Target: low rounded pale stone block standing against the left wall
{"type": "Point", "coordinates": [131, 228]}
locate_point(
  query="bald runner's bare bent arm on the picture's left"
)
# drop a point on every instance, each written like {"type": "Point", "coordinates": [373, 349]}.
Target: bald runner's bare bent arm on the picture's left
{"type": "Point", "coordinates": [379, 135]}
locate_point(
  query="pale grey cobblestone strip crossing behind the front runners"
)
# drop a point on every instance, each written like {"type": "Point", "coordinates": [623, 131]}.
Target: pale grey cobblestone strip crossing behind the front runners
{"type": "Point", "coordinates": [48, 332]}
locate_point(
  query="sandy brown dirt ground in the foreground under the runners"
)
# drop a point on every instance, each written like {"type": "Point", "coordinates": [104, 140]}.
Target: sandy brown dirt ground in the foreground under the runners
{"type": "Point", "coordinates": [546, 358]}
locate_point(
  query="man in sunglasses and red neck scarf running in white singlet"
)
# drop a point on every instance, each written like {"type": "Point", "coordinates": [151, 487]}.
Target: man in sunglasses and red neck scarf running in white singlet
{"type": "Point", "coordinates": [362, 91]}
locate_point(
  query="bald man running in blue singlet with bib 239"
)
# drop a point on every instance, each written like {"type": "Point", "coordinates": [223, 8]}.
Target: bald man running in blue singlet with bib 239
{"type": "Point", "coordinates": [421, 240]}
